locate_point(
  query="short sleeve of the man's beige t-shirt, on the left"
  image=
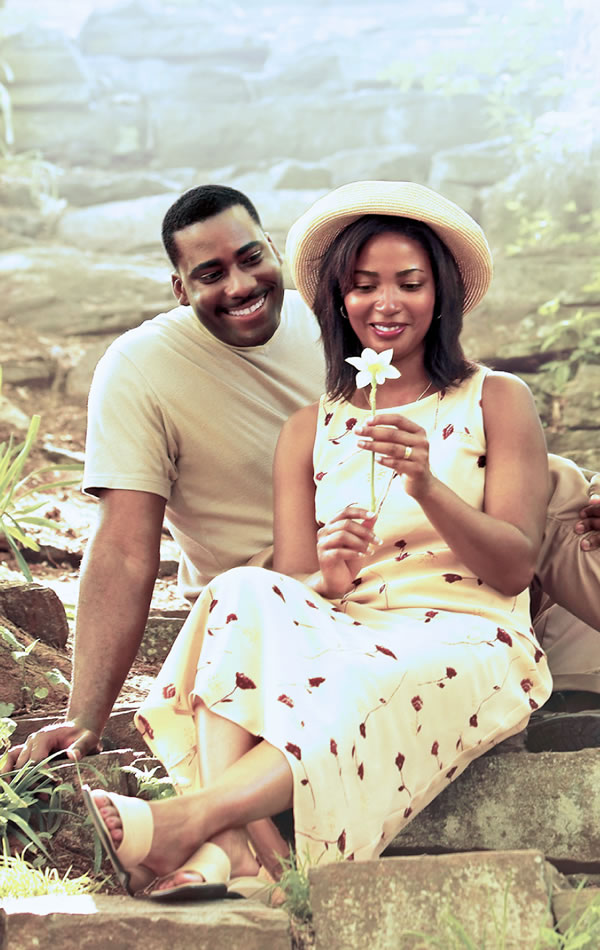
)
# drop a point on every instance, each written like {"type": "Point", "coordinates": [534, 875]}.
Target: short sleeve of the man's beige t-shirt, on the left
{"type": "Point", "coordinates": [129, 444]}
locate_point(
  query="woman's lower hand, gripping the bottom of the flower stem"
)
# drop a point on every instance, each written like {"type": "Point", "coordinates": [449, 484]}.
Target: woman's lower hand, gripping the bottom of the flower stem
{"type": "Point", "coordinates": [341, 545]}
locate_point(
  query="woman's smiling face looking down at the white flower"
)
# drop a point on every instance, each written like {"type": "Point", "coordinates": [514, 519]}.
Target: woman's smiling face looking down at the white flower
{"type": "Point", "coordinates": [392, 299]}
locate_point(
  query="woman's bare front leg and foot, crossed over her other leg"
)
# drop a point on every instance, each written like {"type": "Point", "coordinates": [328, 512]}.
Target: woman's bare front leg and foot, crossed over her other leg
{"type": "Point", "coordinates": [256, 786]}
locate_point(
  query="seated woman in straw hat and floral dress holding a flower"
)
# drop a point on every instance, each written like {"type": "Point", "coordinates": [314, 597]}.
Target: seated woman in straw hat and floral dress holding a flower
{"type": "Point", "coordinates": [391, 647]}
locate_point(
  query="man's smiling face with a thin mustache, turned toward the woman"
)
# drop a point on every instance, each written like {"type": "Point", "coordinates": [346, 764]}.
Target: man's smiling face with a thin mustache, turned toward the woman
{"type": "Point", "coordinates": [229, 273]}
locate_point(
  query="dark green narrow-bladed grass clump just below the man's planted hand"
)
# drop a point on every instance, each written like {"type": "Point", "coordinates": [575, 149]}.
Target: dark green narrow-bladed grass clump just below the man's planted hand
{"type": "Point", "coordinates": [30, 809]}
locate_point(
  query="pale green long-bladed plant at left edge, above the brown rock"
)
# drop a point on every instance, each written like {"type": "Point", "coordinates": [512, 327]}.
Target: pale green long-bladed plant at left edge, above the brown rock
{"type": "Point", "coordinates": [15, 510]}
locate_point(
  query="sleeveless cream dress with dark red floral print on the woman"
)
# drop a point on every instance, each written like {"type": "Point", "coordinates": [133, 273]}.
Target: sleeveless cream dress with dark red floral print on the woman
{"type": "Point", "coordinates": [378, 700]}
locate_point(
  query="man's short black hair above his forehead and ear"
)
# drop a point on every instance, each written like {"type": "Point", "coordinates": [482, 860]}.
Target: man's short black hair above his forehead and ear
{"type": "Point", "coordinates": [198, 204]}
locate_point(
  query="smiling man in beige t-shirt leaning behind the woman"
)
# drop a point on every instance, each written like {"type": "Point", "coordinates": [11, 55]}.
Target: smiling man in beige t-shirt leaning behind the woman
{"type": "Point", "coordinates": [184, 414]}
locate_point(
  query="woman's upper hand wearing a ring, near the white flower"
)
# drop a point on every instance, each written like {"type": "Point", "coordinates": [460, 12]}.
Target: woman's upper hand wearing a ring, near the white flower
{"type": "Point", "coordinates": [401, 445]}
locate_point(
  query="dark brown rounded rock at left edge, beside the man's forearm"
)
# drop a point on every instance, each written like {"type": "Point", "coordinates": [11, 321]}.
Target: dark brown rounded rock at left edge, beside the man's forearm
{"type": "Point", "coordinates": [37, 610]}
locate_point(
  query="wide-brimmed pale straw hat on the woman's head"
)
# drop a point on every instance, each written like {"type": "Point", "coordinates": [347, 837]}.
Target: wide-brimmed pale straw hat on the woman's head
{"type": "Point", "coordinates": [311, 235]}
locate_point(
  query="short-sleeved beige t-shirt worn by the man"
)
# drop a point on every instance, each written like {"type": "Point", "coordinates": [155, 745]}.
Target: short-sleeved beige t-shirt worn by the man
{"type": "Point", "coordinates": [176, 412]}
